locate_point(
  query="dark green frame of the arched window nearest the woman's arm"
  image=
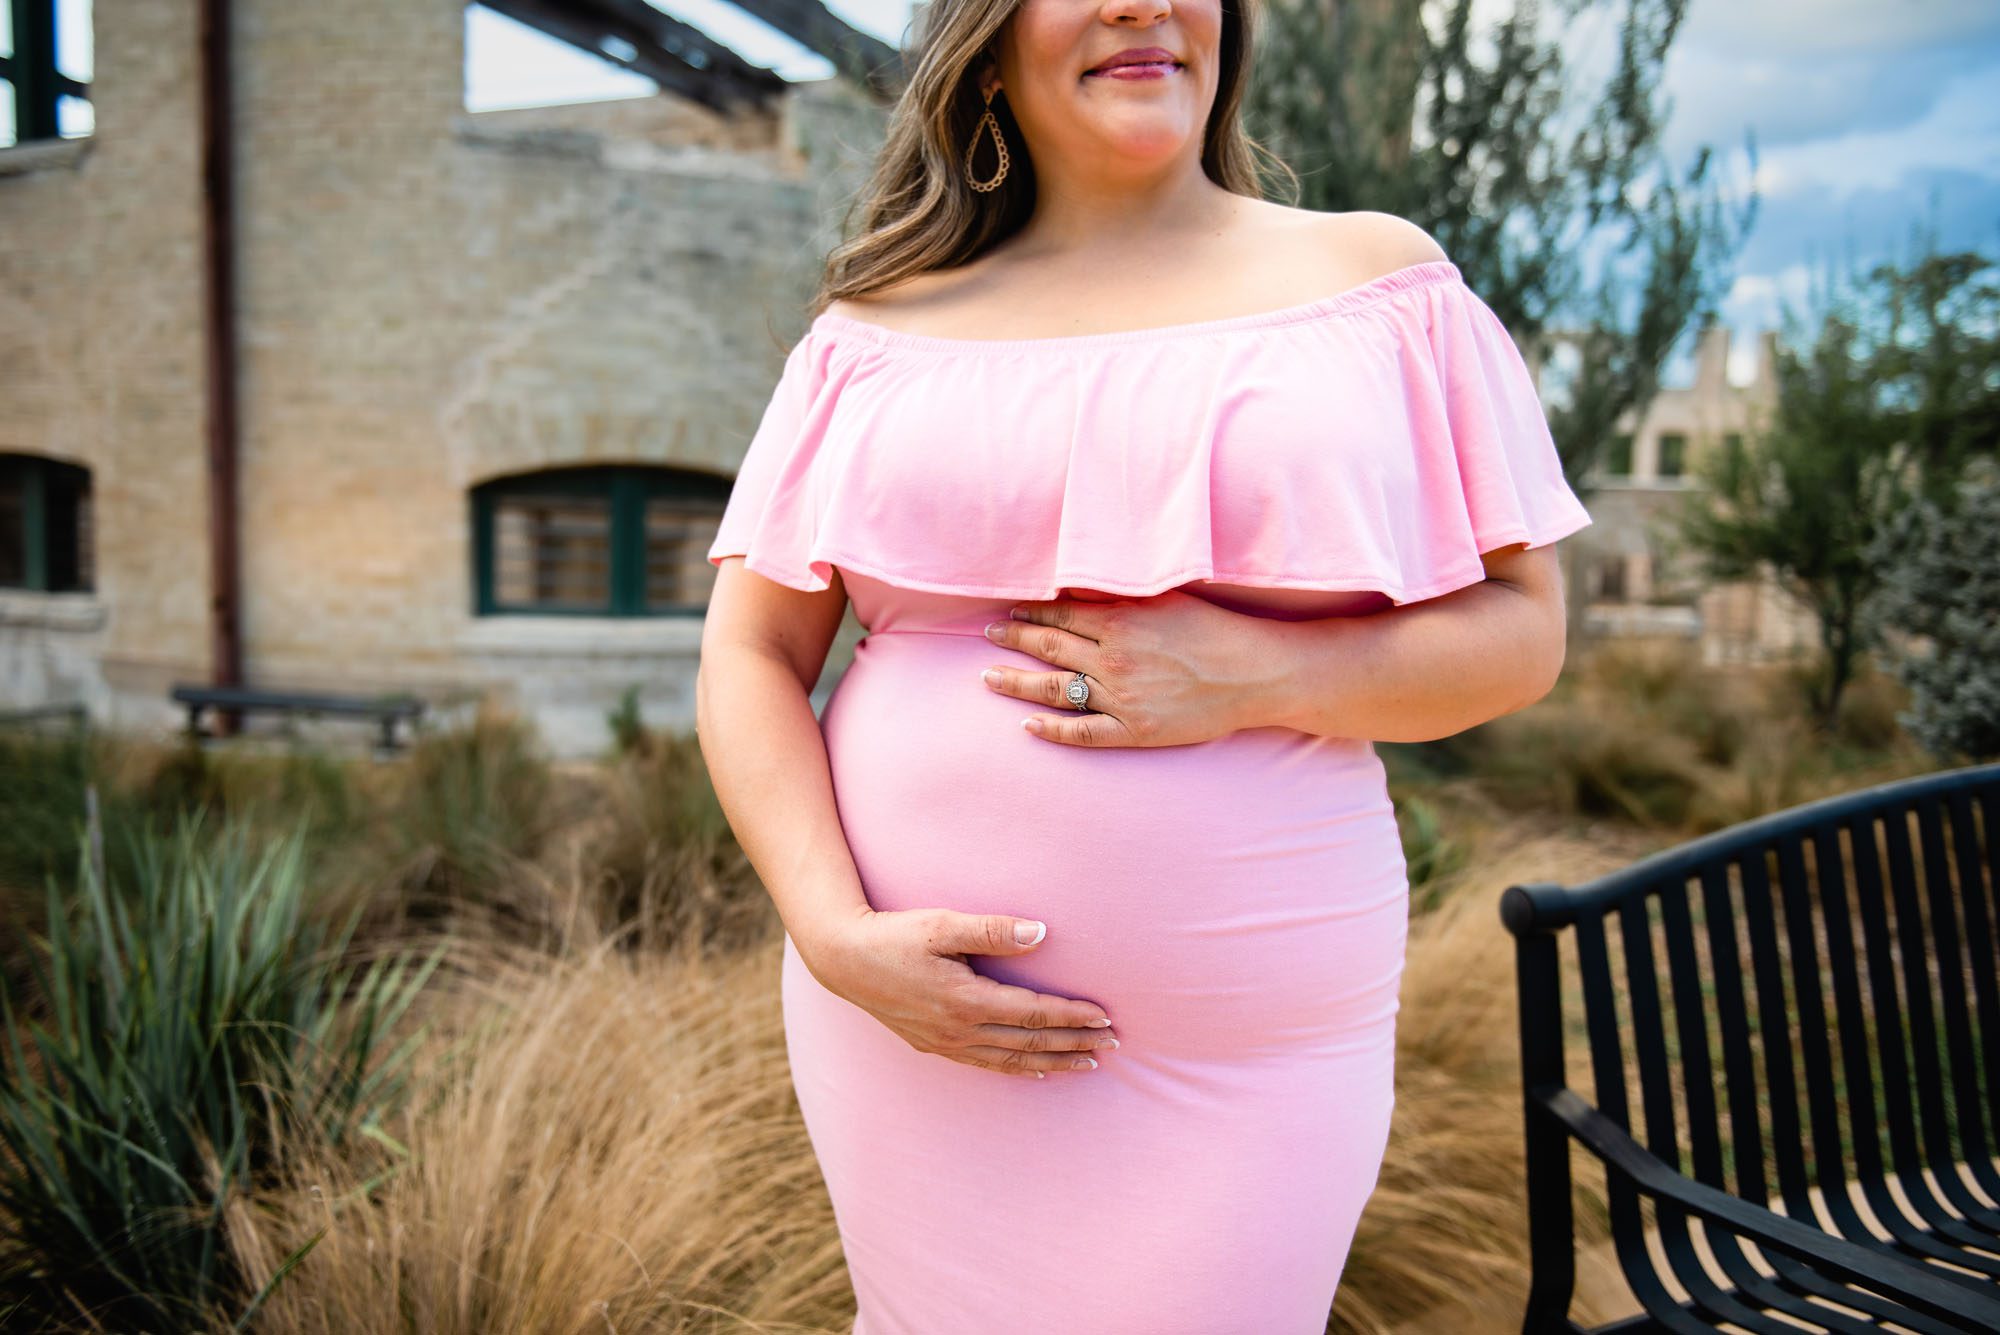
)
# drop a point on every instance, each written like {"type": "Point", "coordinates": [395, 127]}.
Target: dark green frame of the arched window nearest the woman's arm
{"type": "Point", "coordinates": [627, 491]}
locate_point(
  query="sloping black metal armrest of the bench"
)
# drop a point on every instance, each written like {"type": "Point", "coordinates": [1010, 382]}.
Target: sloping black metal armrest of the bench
{"type": "Point", "coordinates": [1907, 1282]}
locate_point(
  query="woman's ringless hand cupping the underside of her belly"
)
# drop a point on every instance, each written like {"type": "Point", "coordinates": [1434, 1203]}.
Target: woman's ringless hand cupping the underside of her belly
{"type": "Point", "coordinates": [909, 970]}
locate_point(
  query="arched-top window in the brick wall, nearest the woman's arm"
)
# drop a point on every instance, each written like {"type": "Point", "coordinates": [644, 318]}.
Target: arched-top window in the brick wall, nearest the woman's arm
{"type": "Point", "coordinates": [597, 541]}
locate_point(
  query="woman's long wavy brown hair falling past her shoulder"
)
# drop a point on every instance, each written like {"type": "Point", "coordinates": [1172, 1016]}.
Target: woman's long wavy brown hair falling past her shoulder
{"type": "Point", "coordinates": [919, 213]}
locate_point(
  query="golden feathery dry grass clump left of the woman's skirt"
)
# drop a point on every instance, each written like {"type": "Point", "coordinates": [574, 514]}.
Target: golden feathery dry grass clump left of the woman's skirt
{"type": "Point", "coordinates": [609, 1144]}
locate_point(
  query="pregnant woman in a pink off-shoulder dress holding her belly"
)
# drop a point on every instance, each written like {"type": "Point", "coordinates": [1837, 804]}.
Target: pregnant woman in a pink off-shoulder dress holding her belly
{"type": "Point", "coordinates": [1161, 505]}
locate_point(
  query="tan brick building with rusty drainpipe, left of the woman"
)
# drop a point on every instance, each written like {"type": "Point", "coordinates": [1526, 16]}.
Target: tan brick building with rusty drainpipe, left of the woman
{"type": "Point", "coordinates": [471, 387]}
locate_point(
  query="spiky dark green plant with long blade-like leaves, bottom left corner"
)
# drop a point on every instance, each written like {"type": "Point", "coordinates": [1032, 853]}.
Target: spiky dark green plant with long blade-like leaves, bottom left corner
{"type": "Point", "coordinates": [191, 1018]}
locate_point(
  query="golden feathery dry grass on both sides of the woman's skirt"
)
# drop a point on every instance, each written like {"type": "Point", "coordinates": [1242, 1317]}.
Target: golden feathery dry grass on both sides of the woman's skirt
{"type": "Point", "coordinates": [611, 1144]}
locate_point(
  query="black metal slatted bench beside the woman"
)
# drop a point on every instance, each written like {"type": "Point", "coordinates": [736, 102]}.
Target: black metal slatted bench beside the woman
{"type": "Point", "coordinates": [1871, 1090]}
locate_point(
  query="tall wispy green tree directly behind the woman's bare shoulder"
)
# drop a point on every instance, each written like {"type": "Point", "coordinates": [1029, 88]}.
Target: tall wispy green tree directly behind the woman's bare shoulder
{"type": "Point", "coordinates": [1517, 171]}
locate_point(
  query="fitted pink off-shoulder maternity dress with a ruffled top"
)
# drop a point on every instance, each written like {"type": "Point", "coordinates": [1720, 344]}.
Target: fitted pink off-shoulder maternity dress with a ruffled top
{"type": "Point", "coordinates": [1239, 906]}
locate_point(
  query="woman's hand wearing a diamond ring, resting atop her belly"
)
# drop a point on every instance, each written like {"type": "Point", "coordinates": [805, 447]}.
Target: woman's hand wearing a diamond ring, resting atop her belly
{"type": "Point", "coordinates": [1163, 670]}
